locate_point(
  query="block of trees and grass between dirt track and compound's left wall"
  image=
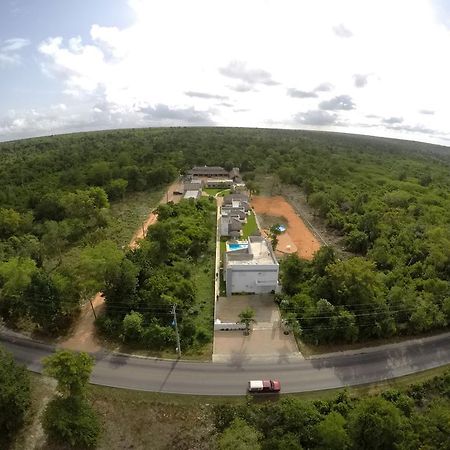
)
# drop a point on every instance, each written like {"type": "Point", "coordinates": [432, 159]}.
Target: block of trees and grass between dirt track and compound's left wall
{"type": "Point", "coordinates": [173, 267]}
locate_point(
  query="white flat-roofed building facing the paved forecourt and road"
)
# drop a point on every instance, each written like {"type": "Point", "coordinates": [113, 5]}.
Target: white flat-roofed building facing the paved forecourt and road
{"type": "Point", "coordinates": [252, 270]}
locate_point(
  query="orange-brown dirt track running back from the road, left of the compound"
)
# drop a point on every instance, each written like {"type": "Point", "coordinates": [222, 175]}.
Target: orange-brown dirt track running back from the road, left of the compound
{"type": "Point", "coordinates": [83, 336]}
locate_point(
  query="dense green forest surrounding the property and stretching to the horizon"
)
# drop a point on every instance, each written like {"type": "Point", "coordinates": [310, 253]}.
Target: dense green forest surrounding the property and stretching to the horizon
{"type": "Point", "coordinates": [388, 199]}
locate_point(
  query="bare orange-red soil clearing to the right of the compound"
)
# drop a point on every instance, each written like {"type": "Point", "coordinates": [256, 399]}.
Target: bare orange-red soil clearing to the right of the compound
{"type": "Point", "coordinates": [297, 231]}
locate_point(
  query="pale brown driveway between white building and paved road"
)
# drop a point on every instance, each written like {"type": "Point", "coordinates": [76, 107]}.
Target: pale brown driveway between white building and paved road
{"type": "Point", "coordinates": [266, 342]}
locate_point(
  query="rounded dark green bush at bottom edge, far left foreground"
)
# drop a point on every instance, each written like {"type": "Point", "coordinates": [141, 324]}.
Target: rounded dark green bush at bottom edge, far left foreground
{"type": "Point", "coordinates": [71, 421]}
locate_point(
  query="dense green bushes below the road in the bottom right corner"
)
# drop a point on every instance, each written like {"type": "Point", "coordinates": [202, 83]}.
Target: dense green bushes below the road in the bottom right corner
{"type": "Point", "coordinates": [416, 417]}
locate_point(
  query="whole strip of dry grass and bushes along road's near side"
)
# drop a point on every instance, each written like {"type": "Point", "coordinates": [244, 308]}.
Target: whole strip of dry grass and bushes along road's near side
{"type": "Point", "coordinates": [408, 413]}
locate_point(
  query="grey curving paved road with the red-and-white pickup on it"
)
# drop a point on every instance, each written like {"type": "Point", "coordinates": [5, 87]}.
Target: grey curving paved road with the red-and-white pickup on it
{"type": "Point", "coordinates": [331, 371]}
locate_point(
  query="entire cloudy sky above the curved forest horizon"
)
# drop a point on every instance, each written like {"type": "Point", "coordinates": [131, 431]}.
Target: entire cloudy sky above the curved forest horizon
{"type": "Point", "coordinates": [356, 66]}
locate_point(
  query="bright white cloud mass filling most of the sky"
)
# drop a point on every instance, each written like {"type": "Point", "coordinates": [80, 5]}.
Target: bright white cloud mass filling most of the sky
{"type": "Point", "coordinates": [177, 64]}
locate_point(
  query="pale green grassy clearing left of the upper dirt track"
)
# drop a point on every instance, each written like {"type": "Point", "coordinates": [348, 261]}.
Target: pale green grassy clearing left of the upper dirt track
{"type": "Point", "coordinates": [128, 214]}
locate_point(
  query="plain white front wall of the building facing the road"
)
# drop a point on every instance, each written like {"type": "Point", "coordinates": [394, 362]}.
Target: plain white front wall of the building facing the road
{"type": "Point", "coordinates": [251, 279]}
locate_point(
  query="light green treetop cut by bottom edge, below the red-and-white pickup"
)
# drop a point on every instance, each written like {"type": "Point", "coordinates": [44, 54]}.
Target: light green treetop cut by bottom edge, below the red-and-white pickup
{"type": "Point", "coordinates": [239, 436]}
